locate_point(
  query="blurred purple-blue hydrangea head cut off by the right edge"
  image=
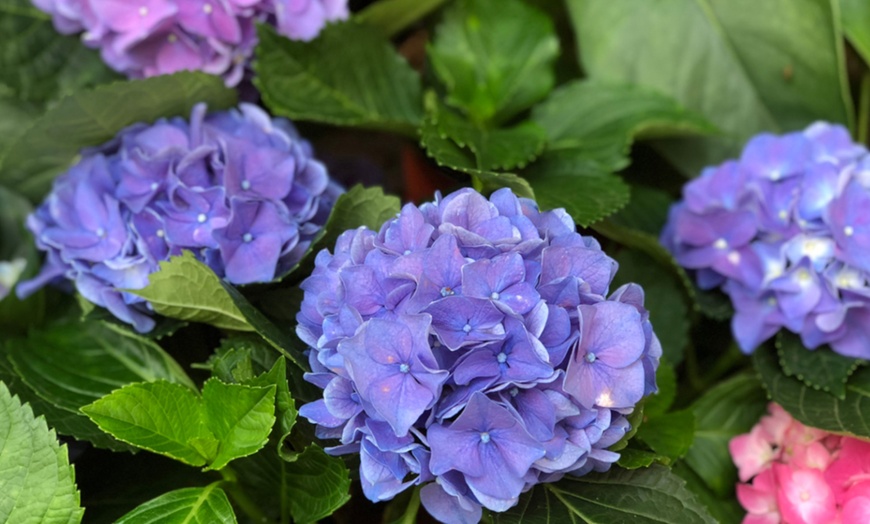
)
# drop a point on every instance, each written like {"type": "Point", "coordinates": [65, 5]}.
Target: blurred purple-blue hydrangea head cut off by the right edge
{"type": "Point", "coordinates": [785, 232]}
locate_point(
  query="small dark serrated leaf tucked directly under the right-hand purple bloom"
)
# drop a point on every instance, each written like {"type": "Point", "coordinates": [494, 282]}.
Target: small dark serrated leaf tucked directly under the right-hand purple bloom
{"type": "Point", "coordinates": [820, 368]}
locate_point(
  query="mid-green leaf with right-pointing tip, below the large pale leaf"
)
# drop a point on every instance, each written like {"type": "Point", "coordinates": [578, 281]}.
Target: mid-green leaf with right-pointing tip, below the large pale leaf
{"type": "Point", "coordinates": [599, 121]}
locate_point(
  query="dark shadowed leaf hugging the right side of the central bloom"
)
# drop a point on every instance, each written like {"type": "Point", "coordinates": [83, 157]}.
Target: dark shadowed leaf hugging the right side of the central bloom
{"type": "Point", "coordinates": [663, 297]}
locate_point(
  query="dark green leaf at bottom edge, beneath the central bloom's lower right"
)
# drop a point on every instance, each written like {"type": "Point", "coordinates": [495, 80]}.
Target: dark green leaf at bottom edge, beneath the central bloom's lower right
{"type": "Point", "coordinates": [651, 495]}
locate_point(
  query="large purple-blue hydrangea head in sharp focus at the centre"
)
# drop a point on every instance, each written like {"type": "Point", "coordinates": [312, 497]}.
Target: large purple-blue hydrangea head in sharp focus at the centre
{"type": "Point", "coordinates": [471, 342]}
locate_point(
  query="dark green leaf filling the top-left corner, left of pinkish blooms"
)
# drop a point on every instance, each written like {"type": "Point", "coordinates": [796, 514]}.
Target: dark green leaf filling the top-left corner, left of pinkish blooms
{"type": "Point", "coordinates": [37, 62]}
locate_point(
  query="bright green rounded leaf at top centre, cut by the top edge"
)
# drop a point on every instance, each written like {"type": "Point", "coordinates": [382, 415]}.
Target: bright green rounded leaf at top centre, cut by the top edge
{"type": "Point", "coordinates": [495, 57]}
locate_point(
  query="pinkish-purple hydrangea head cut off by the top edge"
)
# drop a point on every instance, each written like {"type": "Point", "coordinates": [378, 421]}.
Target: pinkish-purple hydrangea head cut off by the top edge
{"type": "Point", "coordinates": [145, 38]}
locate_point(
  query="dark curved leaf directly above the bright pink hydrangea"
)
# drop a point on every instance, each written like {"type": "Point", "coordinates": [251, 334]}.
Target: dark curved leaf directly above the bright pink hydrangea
{"type": "Point", "coordinates": [850, 416]}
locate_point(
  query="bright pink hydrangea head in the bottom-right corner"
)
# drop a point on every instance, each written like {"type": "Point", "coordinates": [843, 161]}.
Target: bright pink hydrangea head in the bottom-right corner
{"type": "Point", "coordinates": [794, 474]}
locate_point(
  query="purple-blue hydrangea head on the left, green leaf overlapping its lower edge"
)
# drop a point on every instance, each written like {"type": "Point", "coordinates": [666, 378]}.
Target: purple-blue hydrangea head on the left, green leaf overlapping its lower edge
{"type": "Point", "coordinates": [237, 188]}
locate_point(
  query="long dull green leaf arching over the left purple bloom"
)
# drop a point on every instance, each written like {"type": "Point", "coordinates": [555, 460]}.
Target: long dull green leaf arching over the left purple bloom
{"type": "Point", "coordinates": [92, 117]}
